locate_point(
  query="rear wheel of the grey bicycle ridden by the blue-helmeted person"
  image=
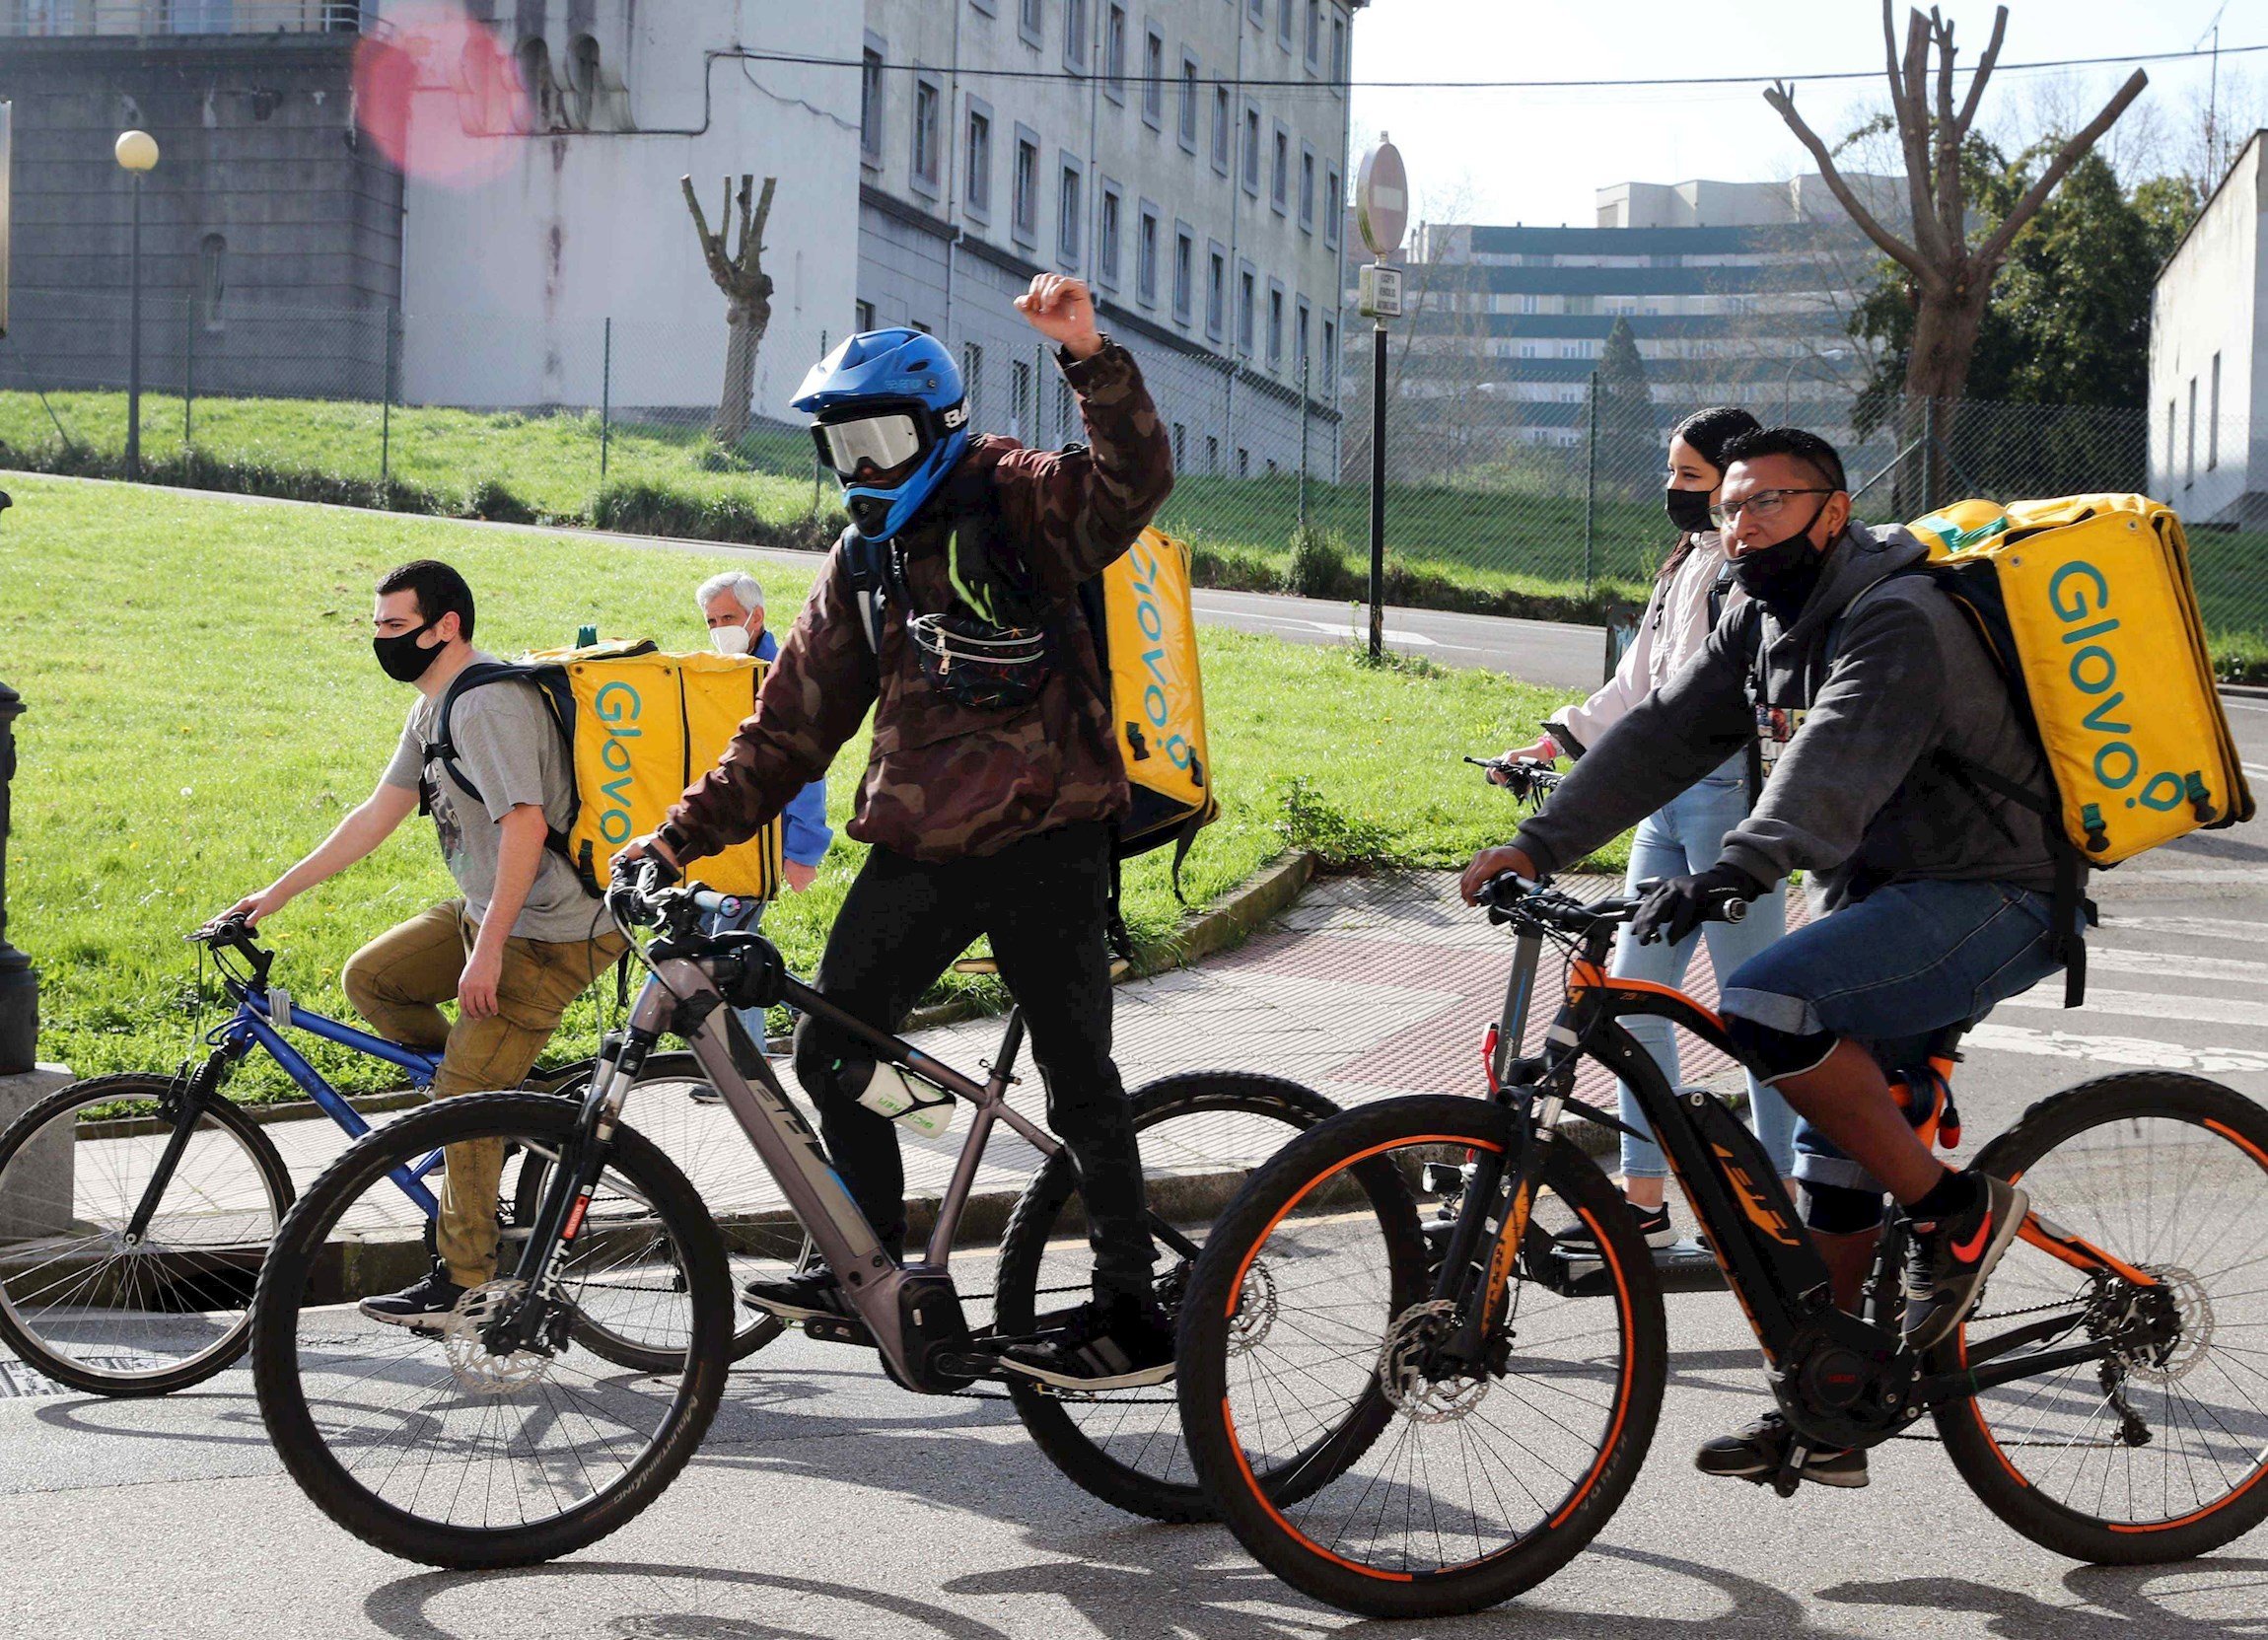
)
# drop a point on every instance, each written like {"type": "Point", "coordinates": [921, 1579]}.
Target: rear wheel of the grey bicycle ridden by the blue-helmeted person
{"type": "Point", "coordinates": [1199, 1140]}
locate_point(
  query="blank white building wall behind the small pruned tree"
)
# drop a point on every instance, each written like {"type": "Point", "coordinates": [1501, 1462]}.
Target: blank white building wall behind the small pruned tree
{"type": "Point", "coordinates": [534, 217]}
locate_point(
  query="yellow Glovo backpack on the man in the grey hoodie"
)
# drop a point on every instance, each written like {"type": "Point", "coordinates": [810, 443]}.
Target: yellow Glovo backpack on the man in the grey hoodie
{"type": "Point", "coordinates": [2092, 616]}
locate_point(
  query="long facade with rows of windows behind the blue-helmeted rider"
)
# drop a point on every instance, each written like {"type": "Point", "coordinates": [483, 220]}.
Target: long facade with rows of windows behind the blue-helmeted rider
{"type": "Point", "coordinates": [1187, 158]}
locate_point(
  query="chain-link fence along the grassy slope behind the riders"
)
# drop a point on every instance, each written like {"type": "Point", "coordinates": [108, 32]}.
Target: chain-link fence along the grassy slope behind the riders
{"type": "Point", "coordinates": [1500, 498]}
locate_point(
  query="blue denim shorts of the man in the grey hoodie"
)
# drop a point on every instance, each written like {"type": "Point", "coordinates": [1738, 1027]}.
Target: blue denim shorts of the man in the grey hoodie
{"type": "Point", "coordinates": [1890, 972]}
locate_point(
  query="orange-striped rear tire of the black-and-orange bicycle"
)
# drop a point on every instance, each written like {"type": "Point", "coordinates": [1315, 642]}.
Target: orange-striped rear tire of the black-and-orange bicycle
{"type": "Point", "coordinates": [1986, 1460]}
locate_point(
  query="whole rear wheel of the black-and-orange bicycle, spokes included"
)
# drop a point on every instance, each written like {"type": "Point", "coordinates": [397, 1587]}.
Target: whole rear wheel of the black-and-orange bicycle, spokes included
{"type": "Point", "coordinates": [2158, 1453]}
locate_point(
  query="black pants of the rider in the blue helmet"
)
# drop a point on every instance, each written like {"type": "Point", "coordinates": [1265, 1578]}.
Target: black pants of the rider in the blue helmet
{"type": "Point", "coordinates": [1042, 902]}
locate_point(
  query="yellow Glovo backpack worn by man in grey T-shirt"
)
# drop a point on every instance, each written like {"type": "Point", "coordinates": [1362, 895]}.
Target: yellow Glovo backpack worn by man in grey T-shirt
{"type": "Point", "coordinates": [638, 729]}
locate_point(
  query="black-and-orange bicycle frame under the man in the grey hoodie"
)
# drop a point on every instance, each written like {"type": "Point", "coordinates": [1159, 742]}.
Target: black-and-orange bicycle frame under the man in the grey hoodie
{"type": "Point", "coordinates": [1843, 1380]}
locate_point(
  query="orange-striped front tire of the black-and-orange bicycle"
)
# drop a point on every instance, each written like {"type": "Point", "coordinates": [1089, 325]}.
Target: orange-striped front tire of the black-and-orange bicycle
{"type": "Point", "coordinates": [1212, 1314]}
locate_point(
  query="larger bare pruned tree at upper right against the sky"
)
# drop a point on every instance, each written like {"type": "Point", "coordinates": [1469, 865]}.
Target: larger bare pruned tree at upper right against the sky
{"type": "Point", "coordinates": [1952, 276]}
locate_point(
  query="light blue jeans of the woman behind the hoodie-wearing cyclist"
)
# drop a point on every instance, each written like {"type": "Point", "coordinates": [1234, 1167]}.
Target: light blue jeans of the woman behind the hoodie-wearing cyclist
{"type": "Point", "coordinates": [1677, 840]}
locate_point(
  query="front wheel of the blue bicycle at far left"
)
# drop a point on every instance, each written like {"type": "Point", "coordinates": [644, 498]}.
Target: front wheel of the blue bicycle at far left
{"type": "Point", "coordinates": [133, 1235]}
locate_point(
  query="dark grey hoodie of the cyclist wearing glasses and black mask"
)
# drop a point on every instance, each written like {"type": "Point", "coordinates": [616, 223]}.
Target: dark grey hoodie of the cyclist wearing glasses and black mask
{"type": "Point", "coordinates": [1868, 713]}
